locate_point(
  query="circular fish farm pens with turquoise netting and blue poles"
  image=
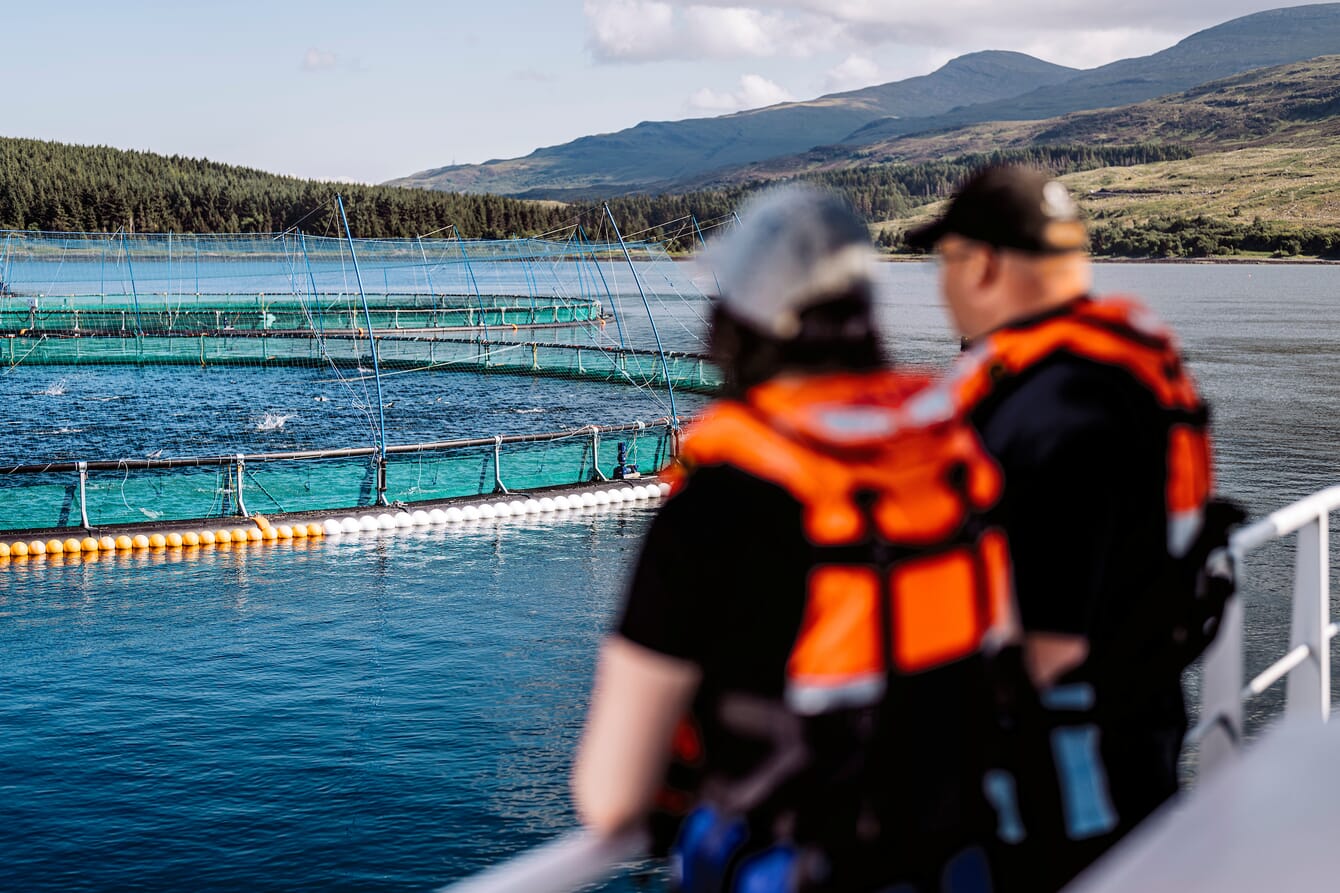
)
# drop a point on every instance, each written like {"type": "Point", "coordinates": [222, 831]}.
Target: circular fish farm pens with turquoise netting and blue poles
{"type": "Point", "coordinates": [153, 379]}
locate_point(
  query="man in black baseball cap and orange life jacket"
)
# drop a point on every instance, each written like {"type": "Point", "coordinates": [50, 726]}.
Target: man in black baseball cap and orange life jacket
{"type": "Point", "coordinates": [1105, 446]}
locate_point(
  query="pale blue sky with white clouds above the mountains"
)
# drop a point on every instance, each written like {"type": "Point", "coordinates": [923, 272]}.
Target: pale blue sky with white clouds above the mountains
{"type": "Point", "coordinates": [368, 92]}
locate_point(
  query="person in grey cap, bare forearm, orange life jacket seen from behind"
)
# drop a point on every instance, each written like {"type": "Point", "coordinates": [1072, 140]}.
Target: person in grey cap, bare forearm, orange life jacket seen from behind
{"type": "Point", "coordinates": [815, 597]}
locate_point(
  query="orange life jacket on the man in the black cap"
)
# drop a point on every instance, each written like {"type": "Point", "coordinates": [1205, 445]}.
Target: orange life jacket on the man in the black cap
{"type": "Point", "coordinates": [1117, 332]}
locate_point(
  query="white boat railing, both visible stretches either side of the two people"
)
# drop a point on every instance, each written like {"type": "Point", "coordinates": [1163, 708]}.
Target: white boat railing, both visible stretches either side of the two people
{"type": "Point", "coordinates": [578, 859]}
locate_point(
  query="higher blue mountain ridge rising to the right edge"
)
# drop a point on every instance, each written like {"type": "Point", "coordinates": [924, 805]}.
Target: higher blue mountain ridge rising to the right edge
{"type": "Point", "coordinates": [1252, 42]}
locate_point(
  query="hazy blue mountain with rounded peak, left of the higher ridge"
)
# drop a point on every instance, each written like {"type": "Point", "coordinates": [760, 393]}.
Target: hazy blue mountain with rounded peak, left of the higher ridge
{"type": "Point", "coordinates": [656, 155]}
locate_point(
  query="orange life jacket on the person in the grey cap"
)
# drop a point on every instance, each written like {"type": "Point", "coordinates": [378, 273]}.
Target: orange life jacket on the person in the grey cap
{"type": "Point", "coordinates": [896, 494]}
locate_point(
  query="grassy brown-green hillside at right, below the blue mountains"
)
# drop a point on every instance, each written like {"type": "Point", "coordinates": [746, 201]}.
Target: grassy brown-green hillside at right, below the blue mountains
{"type": "Point", "coordinates": [1268, 143]}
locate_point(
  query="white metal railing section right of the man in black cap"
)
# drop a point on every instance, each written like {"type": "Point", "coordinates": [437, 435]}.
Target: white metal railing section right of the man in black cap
{"type": "Point", "coordinates": [1309, 660]}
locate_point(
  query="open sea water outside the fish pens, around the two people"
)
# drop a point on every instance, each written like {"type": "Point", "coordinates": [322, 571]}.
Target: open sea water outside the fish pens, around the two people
{"type": "Point", "coordinates": [396, 713]}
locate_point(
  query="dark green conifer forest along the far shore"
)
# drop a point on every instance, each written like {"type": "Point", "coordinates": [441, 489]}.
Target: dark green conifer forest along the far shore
{"type": "Point", "coordinates": [57, 187]}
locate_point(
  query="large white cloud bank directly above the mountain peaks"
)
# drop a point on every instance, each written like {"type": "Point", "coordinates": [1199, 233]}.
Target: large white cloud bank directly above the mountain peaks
{"type": "Point", "coordinates": [1075, 33]}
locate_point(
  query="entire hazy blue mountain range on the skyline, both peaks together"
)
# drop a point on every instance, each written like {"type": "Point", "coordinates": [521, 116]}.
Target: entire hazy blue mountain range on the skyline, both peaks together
{"type": "Point", "coordinates": [980, 88]}
